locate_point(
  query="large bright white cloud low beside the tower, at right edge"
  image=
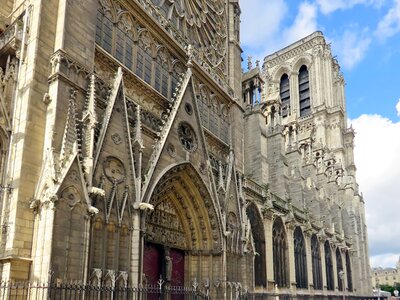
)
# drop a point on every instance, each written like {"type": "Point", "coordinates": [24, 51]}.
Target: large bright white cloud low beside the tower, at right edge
{"type": "Point", "coordinates": [377, 148]}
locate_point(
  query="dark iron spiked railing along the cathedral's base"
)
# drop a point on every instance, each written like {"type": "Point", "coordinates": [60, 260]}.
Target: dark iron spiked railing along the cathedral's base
{"type": "Point", "coordinates": [78, 291]}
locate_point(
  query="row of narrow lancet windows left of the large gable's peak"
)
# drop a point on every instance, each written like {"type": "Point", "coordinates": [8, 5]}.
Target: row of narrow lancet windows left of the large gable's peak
{"type": "Point", "coordinates": [133, 46]}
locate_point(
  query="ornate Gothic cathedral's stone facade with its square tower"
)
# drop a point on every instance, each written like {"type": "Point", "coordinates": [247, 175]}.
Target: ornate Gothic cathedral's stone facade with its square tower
{"type": "Point", "coordinates": [134, 148]}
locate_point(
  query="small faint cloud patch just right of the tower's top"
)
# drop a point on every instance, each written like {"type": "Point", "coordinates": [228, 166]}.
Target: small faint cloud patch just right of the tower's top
{"type": "Point", "coordinates": [351, 47]}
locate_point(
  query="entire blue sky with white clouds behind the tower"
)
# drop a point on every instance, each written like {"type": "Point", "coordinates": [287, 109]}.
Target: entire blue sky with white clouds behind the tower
{"type": "Point", "coordinates": [365, 37]}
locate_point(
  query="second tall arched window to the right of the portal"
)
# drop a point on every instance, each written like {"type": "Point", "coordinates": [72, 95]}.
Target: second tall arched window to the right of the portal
{"type": "Point", "coordinates": [280, 253]}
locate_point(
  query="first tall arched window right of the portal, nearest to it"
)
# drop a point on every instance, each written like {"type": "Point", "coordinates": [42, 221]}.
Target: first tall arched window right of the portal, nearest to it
{"type": "Point", "coordinates": [257, 230]}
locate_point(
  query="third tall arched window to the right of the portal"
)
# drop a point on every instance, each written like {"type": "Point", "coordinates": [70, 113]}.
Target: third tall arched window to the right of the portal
{"type": "Point", "coordinates": [300, 259]}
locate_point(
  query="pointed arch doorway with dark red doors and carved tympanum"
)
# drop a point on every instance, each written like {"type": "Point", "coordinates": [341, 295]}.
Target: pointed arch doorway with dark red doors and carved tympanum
{"type": "Point", "coordinates": [183, 227]}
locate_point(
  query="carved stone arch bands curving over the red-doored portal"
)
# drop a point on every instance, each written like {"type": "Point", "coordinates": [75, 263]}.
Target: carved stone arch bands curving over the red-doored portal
{"type": "Point", "coordinates": [199, 217]}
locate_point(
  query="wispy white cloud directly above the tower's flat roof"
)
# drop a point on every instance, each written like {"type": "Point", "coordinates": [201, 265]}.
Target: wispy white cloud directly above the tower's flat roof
{"type": "Point", "coordinates": [304, 24]}
